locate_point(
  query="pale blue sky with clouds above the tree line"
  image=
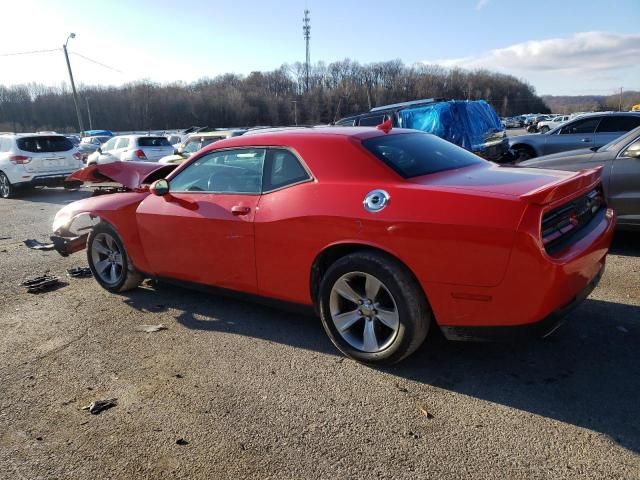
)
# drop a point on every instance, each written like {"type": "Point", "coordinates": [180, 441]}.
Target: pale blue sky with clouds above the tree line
{"type": "Point", "coordinates": [561, 47]}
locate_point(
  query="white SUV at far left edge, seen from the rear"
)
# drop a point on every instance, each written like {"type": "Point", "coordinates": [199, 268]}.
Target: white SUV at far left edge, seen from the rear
{"type": "Point", "coordinates": [29, 159]}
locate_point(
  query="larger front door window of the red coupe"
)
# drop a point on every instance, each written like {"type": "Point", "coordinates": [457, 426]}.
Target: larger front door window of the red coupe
{"type": "Point", "coordinates": [223, 171]}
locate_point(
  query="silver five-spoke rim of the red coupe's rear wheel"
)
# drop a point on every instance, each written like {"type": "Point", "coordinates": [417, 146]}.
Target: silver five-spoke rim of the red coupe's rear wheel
{"type": "Point", "coordinates": [364, 312]}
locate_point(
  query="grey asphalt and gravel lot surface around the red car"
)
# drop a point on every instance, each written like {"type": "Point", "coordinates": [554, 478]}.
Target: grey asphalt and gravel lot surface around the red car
{"type": "Point", "coordinates": [236, 390]}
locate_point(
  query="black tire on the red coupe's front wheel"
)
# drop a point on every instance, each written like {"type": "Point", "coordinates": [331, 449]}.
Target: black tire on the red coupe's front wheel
{"type": "Point", "coordinates": [126, 277]}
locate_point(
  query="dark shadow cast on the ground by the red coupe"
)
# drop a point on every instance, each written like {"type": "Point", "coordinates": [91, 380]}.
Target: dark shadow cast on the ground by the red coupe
{"type": "Point", "coordinates": [586, 374]}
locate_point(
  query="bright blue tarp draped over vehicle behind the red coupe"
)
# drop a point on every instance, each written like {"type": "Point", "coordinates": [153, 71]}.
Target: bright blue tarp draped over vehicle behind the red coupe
{"type": "Point", "coordinates": [469, 124]}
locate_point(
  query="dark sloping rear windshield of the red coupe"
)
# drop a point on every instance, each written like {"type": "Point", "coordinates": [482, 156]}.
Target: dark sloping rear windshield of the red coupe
{"type": "Point", "coordinates": [416, 154]}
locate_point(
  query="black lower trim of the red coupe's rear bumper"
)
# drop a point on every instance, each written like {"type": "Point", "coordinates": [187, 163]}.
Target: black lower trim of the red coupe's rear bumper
{"type": "Point", "coordinates": [542, 328]}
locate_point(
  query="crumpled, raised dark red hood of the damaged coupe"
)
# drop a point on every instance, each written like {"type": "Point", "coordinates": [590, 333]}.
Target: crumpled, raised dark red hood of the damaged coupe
{"type": "Point", "coordinates": [132, 175]}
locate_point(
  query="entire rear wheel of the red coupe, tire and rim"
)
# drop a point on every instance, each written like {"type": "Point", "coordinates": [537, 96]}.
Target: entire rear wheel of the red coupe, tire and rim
{"type": "Point", "coordinates": [373, 309]}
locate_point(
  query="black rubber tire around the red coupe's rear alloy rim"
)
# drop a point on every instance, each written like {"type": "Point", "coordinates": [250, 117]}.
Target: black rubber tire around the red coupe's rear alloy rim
{"type": "Point", "coordinates": [413, 312]}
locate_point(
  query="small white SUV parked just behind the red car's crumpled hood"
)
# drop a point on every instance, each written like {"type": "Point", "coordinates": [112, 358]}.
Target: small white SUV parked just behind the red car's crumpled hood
{"type": "Point", "coordinates": [137, 148]}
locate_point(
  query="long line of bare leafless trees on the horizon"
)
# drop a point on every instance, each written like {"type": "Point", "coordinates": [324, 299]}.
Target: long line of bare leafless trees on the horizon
{"type": "Point", "coordinates": [260, 98]}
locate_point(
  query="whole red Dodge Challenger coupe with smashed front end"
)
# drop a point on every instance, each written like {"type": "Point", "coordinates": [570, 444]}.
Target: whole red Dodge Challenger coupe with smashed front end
{"type": "Point", "coordinates": [386, 233]}
